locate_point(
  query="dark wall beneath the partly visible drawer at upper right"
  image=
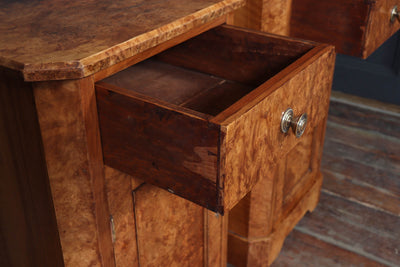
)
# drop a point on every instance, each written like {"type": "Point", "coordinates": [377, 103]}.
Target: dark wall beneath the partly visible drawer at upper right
{"type": "Point", "coordinates": [377, 77]}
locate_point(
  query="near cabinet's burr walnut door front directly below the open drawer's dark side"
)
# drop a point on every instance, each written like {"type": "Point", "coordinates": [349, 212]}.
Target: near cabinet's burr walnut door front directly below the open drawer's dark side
{"type": "Point", "coordinates": [152, 227]}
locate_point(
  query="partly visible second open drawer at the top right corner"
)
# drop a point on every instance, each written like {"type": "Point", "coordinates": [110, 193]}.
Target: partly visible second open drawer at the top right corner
{"type": "Point", "coordinates": [356, 28]}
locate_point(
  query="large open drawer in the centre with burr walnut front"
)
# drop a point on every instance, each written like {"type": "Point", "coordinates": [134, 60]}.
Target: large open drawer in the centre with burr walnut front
{"type": "Point", "coordinates": [202, 119]}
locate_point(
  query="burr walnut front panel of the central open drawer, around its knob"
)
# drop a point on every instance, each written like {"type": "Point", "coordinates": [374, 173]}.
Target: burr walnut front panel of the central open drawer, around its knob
{"type": "Point", "coordinates": [254, 141]}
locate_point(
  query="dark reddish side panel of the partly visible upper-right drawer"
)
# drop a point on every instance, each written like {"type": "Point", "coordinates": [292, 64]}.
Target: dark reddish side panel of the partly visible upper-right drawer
{"type": "Point", "coordinates": [340, 23]}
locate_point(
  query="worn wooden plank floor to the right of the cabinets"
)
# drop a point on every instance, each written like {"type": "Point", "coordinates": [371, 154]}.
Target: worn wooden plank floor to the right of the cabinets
{"type": "Point", "coordinates": [357, 221]}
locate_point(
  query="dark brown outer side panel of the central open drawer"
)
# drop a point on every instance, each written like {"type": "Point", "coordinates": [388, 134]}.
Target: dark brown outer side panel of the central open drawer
{"type": "Point", "coordinates": [160, 146]}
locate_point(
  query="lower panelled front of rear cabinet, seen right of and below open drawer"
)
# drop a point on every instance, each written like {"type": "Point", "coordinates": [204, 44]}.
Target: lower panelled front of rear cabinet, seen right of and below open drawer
{"type": "Point", "coordinates": [261, 221]}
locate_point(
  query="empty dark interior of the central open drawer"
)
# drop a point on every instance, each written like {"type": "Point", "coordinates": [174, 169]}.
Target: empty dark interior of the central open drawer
{"type": "Point", "coordinates": [212, 71]}
